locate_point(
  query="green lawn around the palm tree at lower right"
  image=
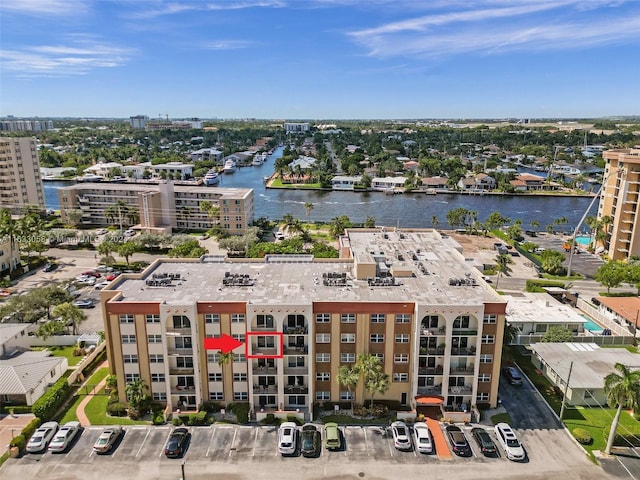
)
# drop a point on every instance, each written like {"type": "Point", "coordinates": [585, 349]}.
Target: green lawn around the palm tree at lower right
{"type": "Point", "coordinates": [597, 422]}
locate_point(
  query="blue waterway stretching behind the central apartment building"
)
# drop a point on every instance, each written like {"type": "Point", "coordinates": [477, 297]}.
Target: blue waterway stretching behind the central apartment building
{"type": "Point", "coordinates": [404, 210]}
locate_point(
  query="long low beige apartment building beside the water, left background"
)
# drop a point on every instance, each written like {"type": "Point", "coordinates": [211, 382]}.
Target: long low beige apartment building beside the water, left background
{"type": "Point", "coordinates": [162, 207]}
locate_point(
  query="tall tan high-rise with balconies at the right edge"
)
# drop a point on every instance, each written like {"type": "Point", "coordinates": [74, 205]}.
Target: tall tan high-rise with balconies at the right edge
{"type": "Point", "coordinates": [619, 200]}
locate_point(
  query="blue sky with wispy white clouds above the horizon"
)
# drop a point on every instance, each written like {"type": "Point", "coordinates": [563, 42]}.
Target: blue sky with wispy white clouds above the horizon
{"type": "Point", "coordinates": [320, 59]}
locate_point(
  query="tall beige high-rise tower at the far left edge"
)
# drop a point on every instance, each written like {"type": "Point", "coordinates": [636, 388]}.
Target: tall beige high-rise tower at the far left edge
{"type": "Point", "coordinates": [20, 174]}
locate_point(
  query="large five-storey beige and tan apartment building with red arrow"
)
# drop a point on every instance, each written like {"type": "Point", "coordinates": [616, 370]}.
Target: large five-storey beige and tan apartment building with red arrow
{"type": "Point", "coordinates": [408, 297]}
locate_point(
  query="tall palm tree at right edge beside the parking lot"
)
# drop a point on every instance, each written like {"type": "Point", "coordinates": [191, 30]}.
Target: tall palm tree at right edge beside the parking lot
{"type": "Point", "coordinates": [622, 389]}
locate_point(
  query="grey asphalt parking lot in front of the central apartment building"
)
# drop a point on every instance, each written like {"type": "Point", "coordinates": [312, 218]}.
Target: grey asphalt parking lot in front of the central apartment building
{"type": "Point", "coordinates": [240, 449]}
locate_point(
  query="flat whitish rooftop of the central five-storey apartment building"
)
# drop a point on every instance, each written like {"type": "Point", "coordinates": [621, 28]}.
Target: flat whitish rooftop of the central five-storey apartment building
{"type": "Point", "coordinates": [428, 262]}
